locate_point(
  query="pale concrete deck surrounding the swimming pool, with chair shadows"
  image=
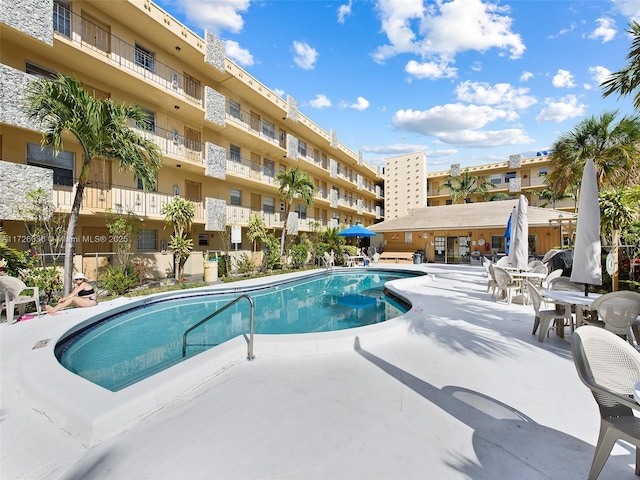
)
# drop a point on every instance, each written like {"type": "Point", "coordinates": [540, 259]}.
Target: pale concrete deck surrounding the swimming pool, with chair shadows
{"type": "Point", "coordinates": [463, 391]}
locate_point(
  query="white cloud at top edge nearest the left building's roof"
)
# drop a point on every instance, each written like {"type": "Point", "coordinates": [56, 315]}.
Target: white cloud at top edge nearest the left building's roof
{"type": "Point", "coordinates": [216, 15]}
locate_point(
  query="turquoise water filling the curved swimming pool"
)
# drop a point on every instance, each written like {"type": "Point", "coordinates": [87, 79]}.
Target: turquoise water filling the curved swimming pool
{"type": "Point", "coordinates": [126, 347]}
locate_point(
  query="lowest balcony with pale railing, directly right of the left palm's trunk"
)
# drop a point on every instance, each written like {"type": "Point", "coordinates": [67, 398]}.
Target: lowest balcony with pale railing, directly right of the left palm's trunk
{"type": "Point", "coordinates": [100, 197]}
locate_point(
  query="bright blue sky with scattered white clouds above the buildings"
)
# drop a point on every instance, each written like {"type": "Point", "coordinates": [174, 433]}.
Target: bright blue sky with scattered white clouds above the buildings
{"type": "Point", "coordinates": [465, 81]}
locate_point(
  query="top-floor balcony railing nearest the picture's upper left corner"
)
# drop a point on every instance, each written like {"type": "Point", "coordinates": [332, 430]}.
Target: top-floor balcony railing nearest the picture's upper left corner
{"type": "Point", "coordinates": [92, 36]}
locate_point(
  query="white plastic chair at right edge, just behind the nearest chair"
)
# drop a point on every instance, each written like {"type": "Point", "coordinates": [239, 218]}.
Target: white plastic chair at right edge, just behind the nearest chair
{"type": "Point", "coordinates": [618, 311]}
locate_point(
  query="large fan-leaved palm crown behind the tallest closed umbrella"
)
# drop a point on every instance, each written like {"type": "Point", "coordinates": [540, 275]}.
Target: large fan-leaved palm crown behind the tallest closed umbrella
{"type": "Point", "coordinates": [614, 147]}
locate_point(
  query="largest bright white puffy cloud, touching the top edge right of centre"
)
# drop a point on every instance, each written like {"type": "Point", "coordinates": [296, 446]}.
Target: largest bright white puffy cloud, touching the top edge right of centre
{"type": "Point", "coordinates": [445, 29]}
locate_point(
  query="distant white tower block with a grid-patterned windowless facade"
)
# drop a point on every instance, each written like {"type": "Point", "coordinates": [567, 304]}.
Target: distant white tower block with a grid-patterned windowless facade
{"type": "Point", "coordinates": [406, 176]}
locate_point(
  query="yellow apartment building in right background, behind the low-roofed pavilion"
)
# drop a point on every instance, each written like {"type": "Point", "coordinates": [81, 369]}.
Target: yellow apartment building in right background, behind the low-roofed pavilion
{"type": "Point", "coordinates": [516, 176]}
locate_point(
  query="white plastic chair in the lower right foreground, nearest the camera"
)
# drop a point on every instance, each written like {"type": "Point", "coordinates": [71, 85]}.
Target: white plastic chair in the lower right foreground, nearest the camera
{"type": "Point", "coordinates": [610, 367]}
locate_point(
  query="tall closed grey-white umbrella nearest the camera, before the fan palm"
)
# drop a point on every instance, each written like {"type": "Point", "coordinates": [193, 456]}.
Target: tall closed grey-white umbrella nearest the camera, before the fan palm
{"type": "Point", "coordinates": [587, 266]}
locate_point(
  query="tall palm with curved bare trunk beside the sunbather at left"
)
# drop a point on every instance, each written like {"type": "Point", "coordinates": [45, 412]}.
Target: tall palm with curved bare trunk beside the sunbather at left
{"type": "Point", "coordinates": [102, 130]}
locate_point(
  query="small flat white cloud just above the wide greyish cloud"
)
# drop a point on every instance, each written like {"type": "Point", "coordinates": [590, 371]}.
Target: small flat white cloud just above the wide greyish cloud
{"type": "Point", "coordinates": [502, 95]}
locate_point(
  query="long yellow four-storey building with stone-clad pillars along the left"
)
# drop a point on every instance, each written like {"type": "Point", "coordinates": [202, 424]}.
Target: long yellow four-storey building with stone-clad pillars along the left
{"type": "Point", "coordinates": [223, 134]}
